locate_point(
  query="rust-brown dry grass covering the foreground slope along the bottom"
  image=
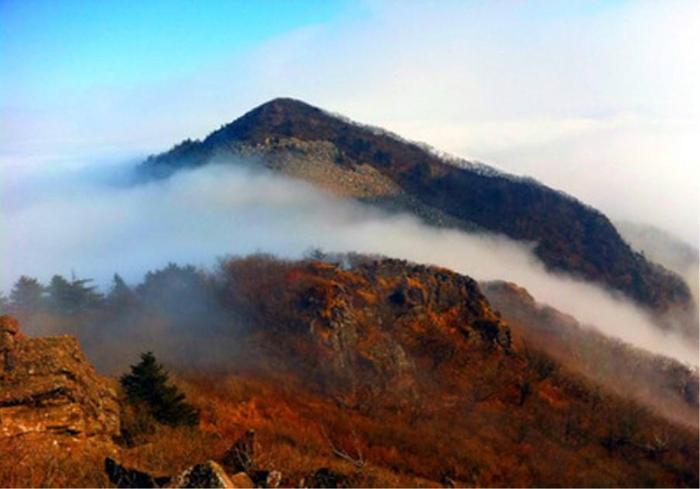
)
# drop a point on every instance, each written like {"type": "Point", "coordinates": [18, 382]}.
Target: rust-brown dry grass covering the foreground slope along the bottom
{"type": "Point", "coordinates": [488, 443]}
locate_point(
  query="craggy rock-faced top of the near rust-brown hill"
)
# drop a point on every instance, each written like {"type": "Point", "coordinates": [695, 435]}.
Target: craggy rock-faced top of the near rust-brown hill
{"type": "Point", "coordinates": [378, 327]}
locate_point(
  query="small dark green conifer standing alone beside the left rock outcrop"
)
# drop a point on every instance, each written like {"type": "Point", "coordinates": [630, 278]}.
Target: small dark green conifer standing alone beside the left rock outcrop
{"type": "Point", "coordinates": [149, 384]}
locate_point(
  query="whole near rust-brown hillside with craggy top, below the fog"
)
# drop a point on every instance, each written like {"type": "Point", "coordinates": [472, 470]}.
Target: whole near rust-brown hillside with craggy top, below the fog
{"type": "Point", "coordinates": [369, 372]}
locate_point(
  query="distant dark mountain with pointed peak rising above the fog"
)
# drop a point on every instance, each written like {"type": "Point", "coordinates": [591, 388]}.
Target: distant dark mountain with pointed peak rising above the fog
{"type": "Point", "coordinates": [376, 167]}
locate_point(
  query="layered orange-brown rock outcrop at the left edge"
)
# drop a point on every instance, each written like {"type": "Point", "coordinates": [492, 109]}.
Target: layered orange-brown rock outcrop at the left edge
{"type": "Point", "coordinates": [49, 390]}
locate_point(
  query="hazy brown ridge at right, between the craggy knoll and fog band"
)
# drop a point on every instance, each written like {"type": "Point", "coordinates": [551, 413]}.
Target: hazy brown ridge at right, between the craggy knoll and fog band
{"type": "Point", "coordinates": [660, 383]}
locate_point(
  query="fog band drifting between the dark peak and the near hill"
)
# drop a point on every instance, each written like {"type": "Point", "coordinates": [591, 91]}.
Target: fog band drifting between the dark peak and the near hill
{"type": "Point", "coordinates": [93, 227]}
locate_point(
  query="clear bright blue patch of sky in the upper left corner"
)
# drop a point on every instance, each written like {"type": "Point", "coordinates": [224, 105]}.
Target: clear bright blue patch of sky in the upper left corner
{"type": "Point", "coordinates": [49, 47]}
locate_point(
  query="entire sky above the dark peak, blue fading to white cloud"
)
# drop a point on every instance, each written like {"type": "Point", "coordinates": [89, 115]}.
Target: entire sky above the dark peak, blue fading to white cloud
{"type": "Point", "coordinates": [551, 89]}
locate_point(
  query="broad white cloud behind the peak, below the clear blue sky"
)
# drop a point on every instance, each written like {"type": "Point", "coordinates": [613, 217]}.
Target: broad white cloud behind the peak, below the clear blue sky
{"type": "Point", "coordinates": [596, 99]}
